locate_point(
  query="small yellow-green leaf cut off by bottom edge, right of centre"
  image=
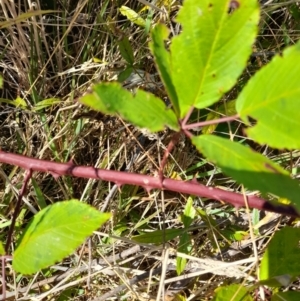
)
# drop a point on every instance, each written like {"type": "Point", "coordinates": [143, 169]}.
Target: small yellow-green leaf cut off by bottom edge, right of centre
{"type": "Point", "coordinates": [234, 292]}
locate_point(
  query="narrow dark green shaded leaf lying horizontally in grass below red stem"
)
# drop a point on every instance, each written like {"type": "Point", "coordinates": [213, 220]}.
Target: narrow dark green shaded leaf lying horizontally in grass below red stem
{"type": "Point", "coordinates": [158, 237]}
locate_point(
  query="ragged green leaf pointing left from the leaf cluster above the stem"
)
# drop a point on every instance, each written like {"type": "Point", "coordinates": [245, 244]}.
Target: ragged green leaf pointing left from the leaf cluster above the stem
{"type": "Point", "coordinates": [143, 109]}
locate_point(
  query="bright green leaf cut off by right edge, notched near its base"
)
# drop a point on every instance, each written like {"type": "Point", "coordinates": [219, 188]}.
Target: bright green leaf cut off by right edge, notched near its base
{"type": "Point", "coordinates": [272, 98]}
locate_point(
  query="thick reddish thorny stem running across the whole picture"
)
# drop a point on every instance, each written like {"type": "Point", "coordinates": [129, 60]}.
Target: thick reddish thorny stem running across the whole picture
{"type": "Point", "coordinates": [148, 182]}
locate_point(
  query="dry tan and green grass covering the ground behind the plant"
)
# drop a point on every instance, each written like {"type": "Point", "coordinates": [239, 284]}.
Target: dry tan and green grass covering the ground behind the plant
{"type": "Point", "coordinates": [59, 56]}
